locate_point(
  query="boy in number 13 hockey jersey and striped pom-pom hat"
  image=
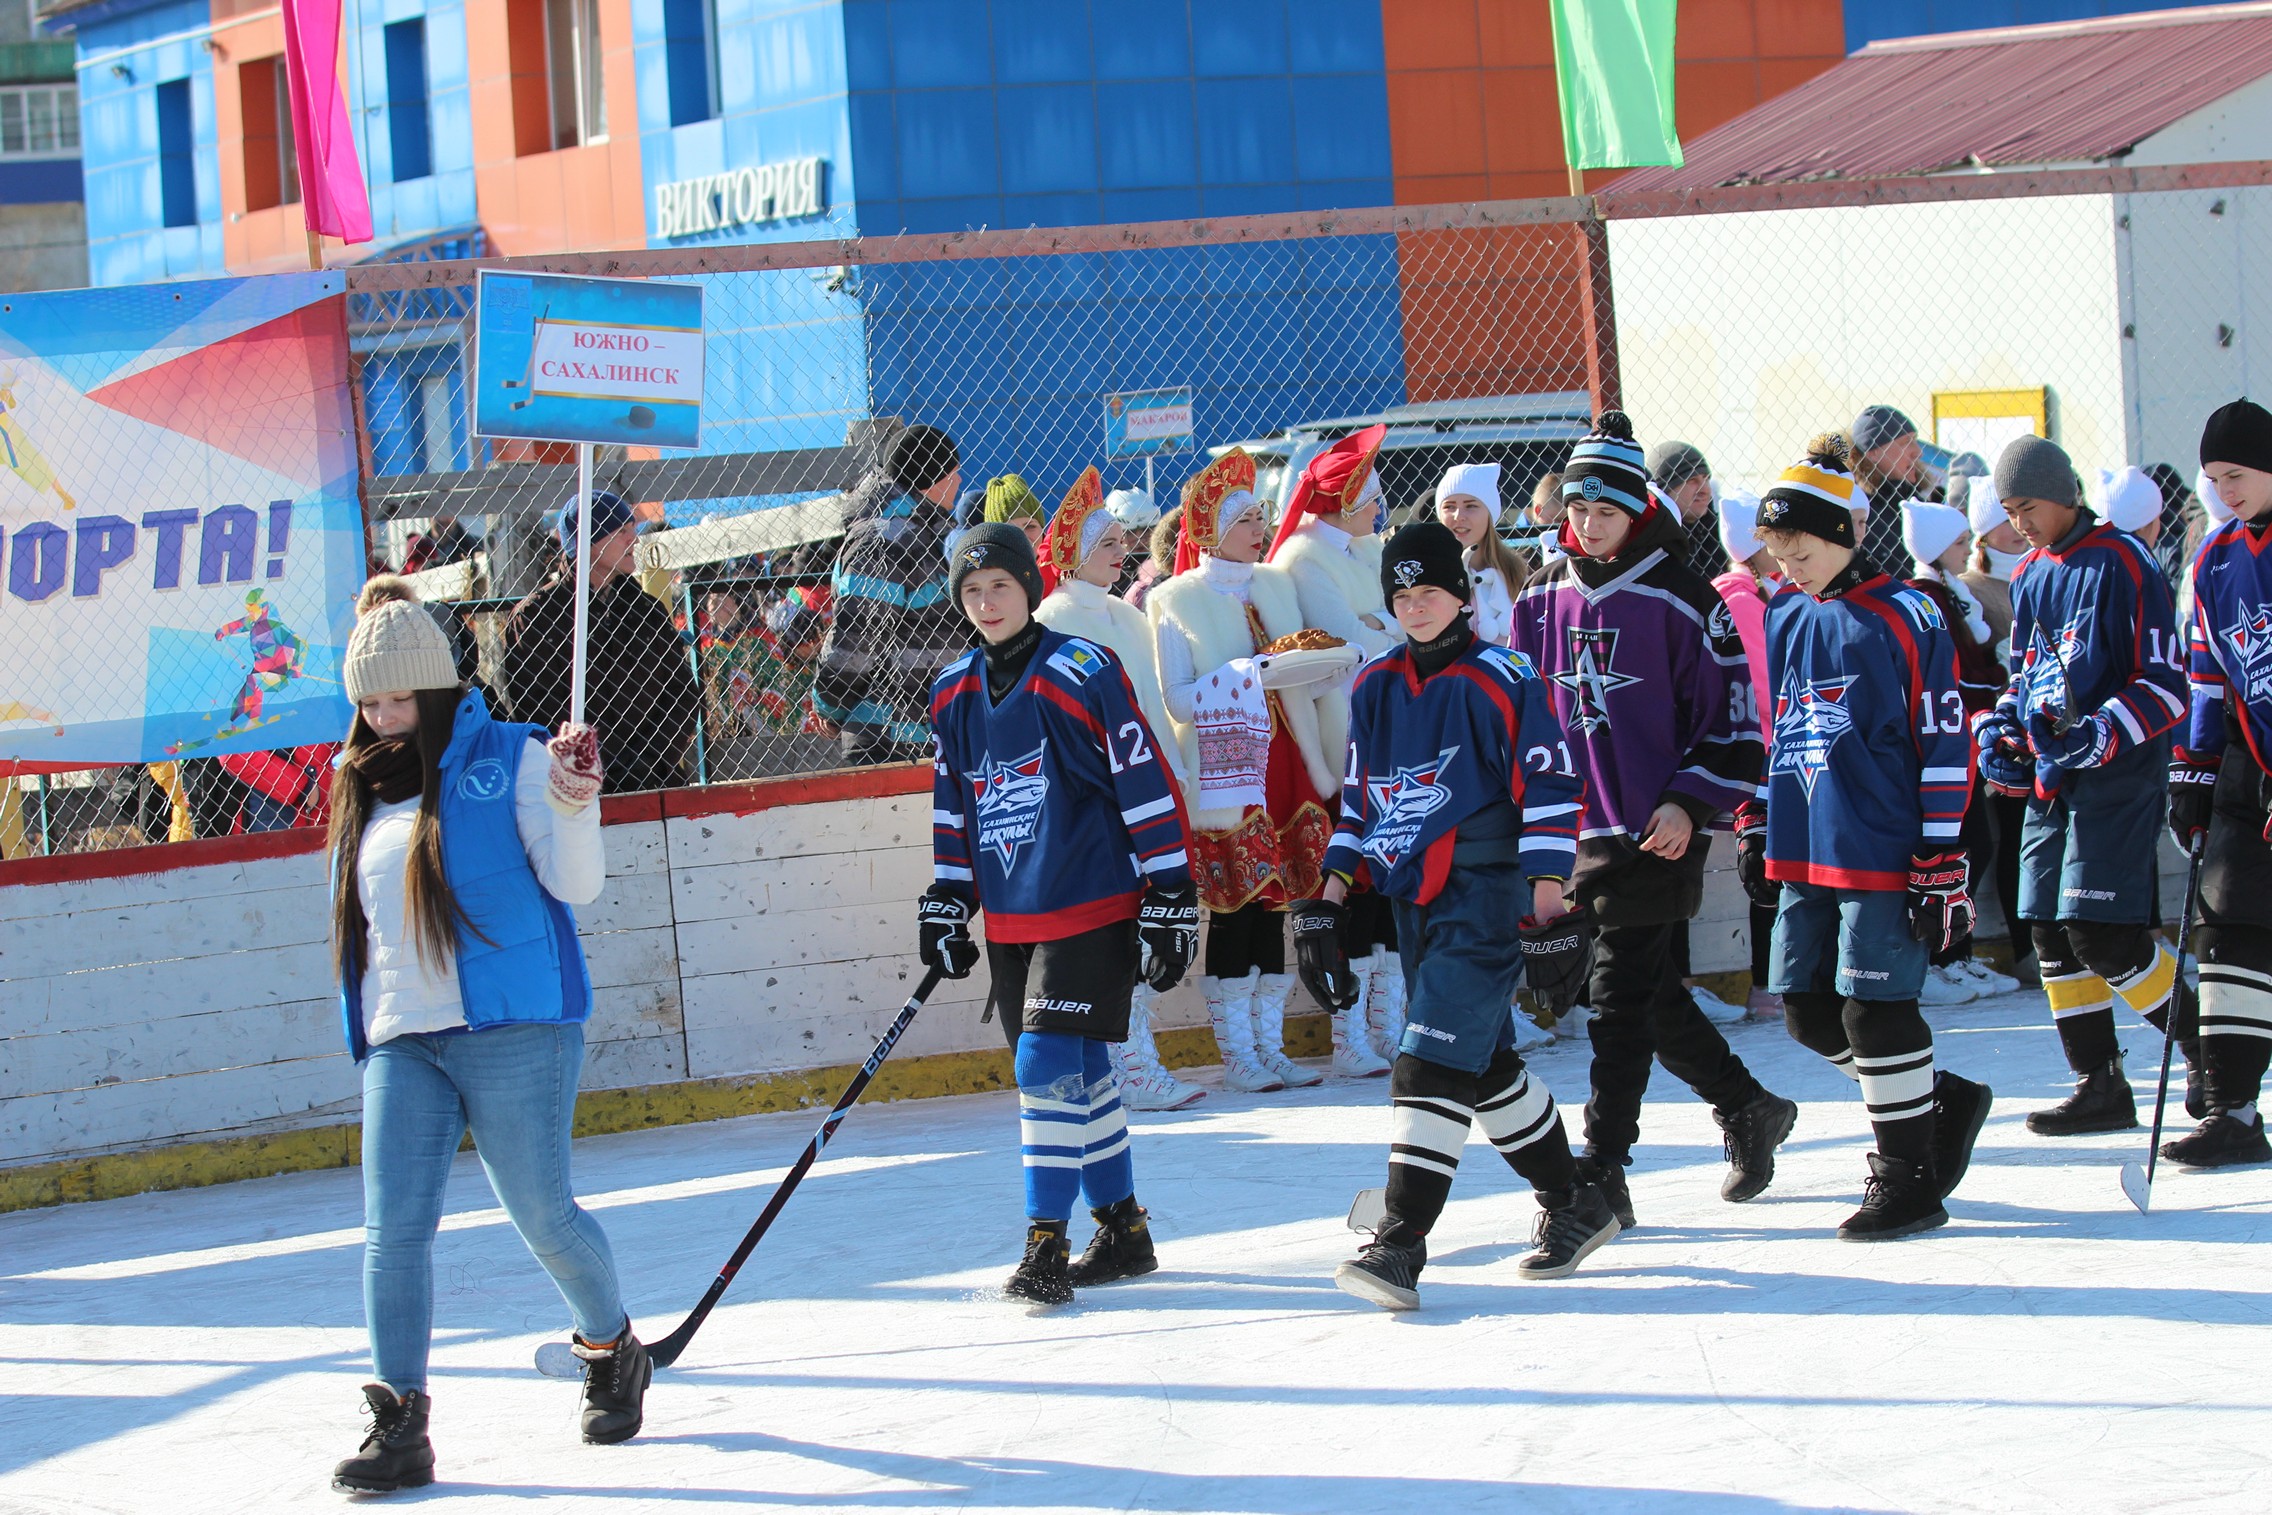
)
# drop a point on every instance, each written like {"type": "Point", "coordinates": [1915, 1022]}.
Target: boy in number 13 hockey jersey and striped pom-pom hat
{"type": "Point", "coordinates": [1857, 844]}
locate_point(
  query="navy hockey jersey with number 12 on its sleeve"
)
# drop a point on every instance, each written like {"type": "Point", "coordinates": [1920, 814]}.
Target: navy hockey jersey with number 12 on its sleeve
{"type": "Point", "coordinates": [1051, 810]}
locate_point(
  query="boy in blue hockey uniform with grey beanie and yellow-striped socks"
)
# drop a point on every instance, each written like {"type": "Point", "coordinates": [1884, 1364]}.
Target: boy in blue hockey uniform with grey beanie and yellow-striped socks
{"type": "Point", "coordinates": [2085, 730]}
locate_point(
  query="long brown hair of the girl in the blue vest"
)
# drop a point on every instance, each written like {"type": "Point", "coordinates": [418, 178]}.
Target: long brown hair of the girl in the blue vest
{"type": "Point", "coordinates": [431, 907]}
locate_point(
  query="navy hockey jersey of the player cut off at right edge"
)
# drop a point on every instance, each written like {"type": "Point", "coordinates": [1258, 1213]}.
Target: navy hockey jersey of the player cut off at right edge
{"type": "Point", "coordinates": [2232, 644]}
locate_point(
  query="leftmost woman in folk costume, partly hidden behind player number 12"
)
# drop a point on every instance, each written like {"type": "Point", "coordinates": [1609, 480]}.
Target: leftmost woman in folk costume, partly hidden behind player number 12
{"type": "Point", "coordinates": [1080, 560]}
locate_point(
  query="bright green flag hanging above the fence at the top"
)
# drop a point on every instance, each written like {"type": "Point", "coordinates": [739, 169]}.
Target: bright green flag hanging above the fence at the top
{"type": "Point", "coordinates": [1614, 76]}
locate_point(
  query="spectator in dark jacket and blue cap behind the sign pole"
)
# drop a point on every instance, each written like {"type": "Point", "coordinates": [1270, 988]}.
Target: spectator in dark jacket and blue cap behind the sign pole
{"type": "Point", "coordinates": [640, 694]}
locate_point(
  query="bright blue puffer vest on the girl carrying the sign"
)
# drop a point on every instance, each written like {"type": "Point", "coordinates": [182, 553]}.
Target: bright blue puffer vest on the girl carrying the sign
{"type": "Point", "coordinates": [521, 960]}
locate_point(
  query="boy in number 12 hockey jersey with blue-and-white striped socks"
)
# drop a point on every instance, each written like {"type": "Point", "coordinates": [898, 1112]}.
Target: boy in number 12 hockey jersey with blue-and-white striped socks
{"type": "Point", "coordinates": [1055, 814]}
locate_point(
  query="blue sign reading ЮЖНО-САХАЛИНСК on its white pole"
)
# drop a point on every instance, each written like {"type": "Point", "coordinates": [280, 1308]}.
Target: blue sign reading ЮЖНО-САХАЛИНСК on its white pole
{"type": "Point", "coordinates": [587, 362]}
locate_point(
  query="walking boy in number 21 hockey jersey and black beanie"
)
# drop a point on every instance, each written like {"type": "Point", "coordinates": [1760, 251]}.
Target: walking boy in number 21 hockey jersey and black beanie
{"type": "Point", "coordinates": [1462, 805]}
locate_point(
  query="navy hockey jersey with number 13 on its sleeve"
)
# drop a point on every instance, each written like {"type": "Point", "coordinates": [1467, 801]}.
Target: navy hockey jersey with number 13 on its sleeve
{"type": "Point", "coordinates": [1871, 757]}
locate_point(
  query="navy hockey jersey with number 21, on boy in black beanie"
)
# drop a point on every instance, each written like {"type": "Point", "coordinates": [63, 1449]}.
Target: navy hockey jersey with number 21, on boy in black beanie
{"type": "Point", "coordinates": [1430, 755]}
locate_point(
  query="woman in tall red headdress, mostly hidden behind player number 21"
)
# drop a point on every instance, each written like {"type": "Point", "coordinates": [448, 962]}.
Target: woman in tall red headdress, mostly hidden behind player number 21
{"type": "Point", "coordinates": [1330, 549]}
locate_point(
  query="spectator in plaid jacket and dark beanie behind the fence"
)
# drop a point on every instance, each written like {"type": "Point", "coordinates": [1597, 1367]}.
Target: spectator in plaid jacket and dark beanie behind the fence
{"type": "Point", "coordinates": [894, 626]}
